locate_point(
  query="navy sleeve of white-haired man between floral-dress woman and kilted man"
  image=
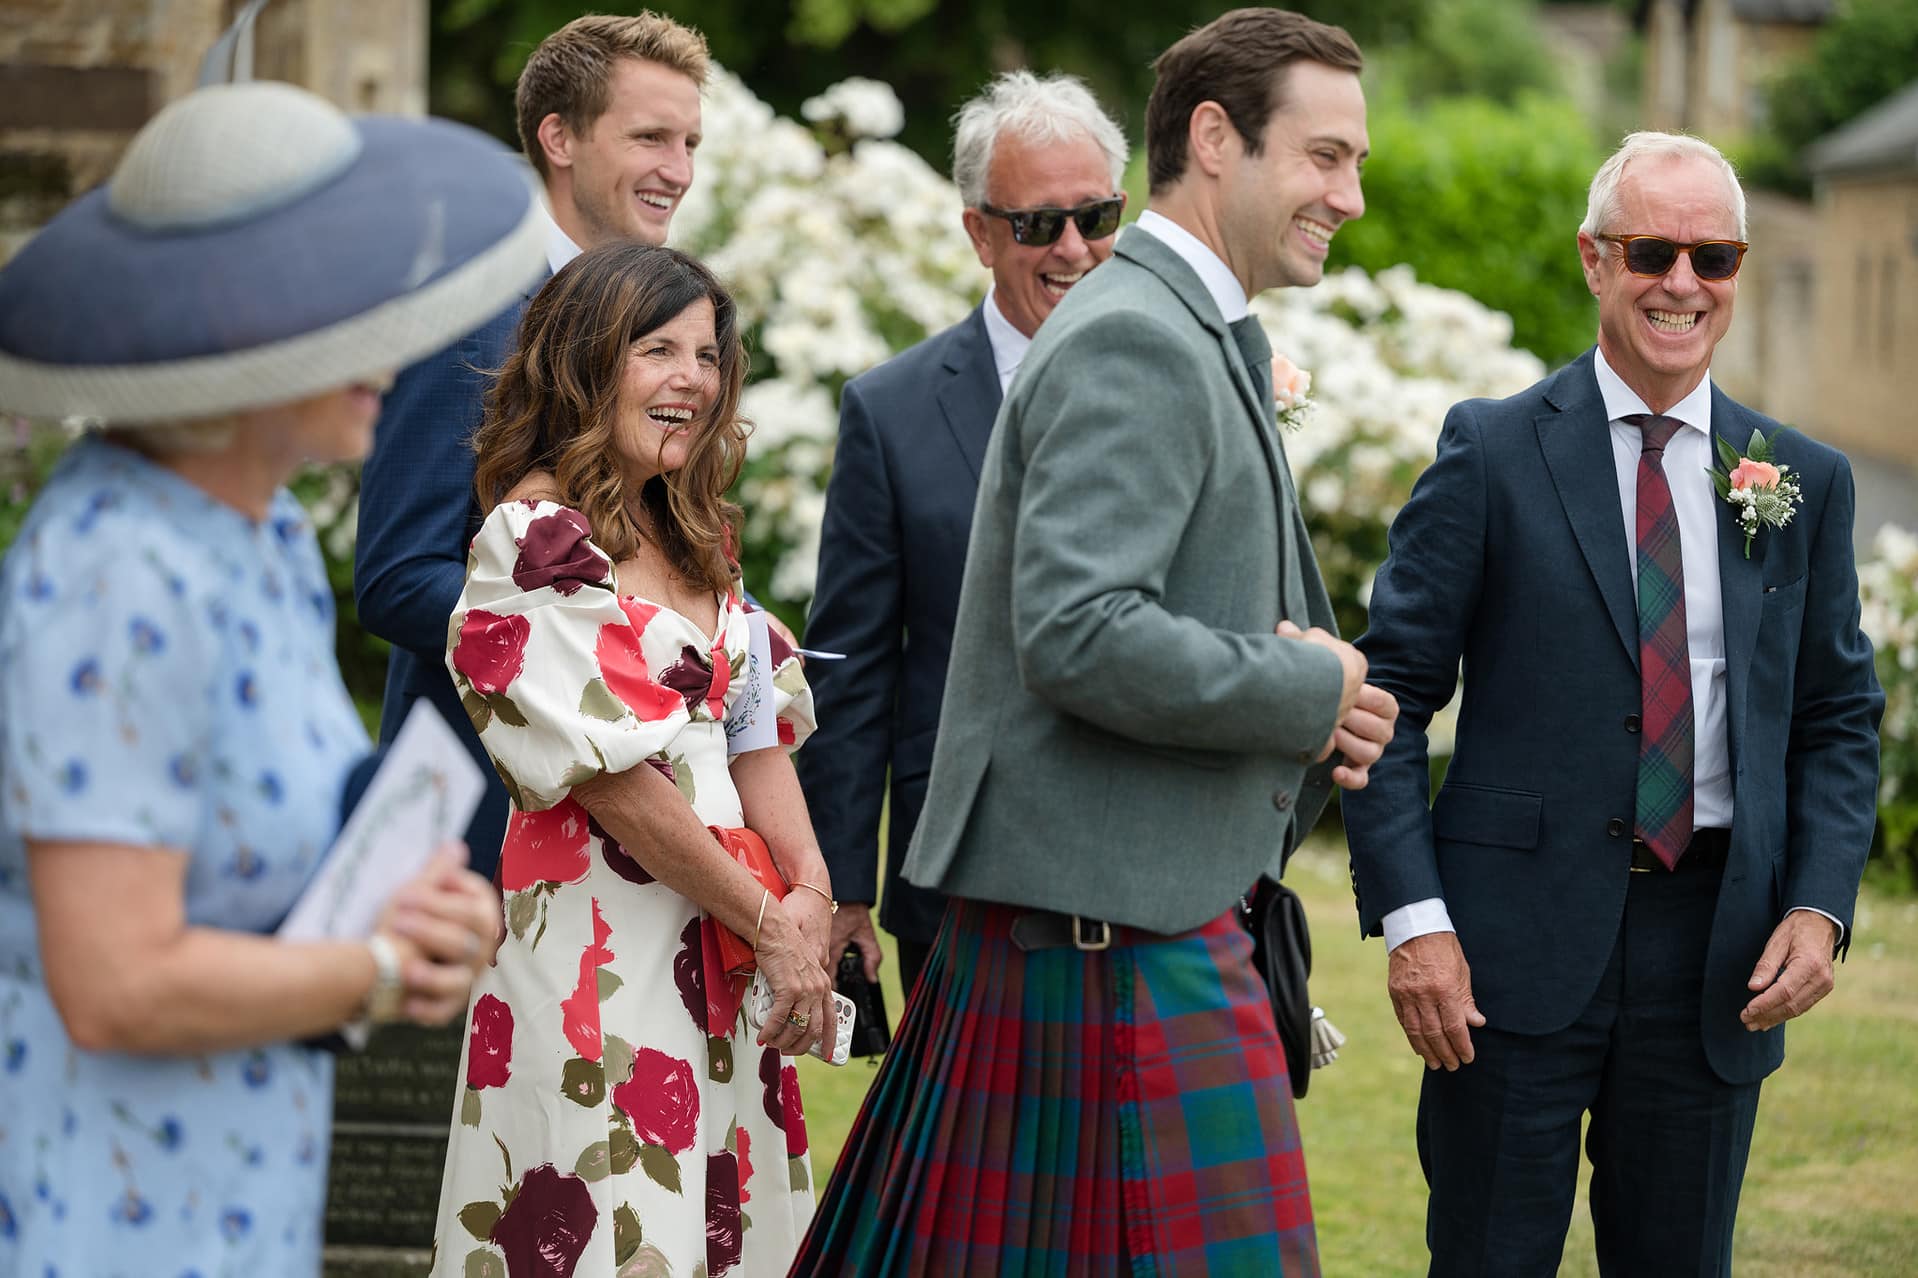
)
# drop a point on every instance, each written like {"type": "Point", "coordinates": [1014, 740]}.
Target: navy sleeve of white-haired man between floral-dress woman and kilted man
{"type": "Point", "coordinates": [858, 609]}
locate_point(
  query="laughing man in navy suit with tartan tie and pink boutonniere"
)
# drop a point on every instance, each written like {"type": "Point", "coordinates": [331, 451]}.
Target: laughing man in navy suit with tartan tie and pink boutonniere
{"type": "Point", "coordinates": [1650, 838]}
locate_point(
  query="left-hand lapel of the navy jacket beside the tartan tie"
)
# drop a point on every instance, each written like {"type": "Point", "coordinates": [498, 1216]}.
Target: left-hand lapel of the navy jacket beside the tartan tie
{"type": "Point", "coordinates": [1578, 450]}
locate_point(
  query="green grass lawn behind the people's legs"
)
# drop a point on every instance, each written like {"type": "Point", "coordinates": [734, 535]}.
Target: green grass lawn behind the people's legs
{"type": "Point", "coordinates": [1835, 1166]}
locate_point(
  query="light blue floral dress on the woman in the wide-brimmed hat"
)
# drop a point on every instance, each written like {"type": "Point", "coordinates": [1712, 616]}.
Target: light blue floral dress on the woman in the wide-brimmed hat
{"type": "Point", "coordinates": [166, 678]}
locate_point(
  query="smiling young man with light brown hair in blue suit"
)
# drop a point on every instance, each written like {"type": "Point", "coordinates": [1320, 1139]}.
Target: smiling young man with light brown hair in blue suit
{"type": "Point", "coordinates": [609, 114]}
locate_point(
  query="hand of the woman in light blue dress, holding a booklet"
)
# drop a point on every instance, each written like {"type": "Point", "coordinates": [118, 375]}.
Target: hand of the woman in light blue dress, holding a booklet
{"type": "Point", "coordinates": [448, 924]}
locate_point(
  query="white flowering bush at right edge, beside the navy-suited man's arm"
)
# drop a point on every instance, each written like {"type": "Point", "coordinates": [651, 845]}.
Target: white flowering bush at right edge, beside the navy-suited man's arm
{"type": "Point", "coordinates": [1888, 584]}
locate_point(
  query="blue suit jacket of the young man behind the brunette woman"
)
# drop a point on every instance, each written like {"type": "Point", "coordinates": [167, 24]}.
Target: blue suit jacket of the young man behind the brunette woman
{"type": "Point", "coordinates": [417, 517]}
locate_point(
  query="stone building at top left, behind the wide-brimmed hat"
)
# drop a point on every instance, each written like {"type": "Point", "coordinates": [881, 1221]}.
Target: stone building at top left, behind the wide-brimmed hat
{"type": "Point", "coordinates": [78, 78]}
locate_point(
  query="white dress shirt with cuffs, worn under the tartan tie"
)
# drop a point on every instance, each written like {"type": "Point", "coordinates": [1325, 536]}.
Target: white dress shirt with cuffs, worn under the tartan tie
{"type": "Point", "coordinates": [1687, 460]}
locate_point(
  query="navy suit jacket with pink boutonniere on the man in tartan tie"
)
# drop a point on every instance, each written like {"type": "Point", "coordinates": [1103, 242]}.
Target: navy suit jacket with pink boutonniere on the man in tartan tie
{"type": "Point", "coordinates": [1512, 556]}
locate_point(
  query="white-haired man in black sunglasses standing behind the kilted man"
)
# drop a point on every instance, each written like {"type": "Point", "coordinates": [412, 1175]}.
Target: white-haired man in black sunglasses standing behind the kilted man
{"type": "Point", "coordinates": [1039, 166]}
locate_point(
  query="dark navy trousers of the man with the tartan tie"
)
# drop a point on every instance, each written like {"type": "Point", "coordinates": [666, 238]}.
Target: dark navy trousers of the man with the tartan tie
{"type": "Point", "coordinates": [1499, 1139]}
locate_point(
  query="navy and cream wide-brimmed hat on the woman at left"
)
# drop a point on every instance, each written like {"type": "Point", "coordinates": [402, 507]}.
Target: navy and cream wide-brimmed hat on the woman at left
{"type": "Point", "coordinates": [260, 247]}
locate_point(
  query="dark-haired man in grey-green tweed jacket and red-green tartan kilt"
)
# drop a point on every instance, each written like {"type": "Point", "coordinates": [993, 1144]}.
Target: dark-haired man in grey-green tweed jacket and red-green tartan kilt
{"type": "Point", "coordinates": [1140, 721]}
